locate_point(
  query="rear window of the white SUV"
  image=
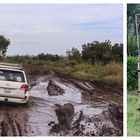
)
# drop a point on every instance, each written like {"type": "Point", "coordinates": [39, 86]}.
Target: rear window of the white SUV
{"type": "Point", "coordinates": [9, 75]}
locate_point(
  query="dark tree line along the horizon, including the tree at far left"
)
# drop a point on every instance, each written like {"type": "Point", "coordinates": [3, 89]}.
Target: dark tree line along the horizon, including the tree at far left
{"type": "Point", "coordinates": [96, 51]}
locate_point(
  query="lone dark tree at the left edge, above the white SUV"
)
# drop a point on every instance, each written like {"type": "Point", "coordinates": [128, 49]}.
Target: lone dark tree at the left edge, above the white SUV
{"type": "Point", "coordinates": [4, 43]}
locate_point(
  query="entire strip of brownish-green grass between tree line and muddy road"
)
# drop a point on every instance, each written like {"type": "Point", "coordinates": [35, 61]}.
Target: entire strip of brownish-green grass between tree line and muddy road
{"type": "Point", "coordinates": [111, 73]}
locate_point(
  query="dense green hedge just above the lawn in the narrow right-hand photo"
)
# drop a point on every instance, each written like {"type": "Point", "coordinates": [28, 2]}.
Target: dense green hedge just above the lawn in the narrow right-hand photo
{"type": "Point", "coordinates": [132, 76]}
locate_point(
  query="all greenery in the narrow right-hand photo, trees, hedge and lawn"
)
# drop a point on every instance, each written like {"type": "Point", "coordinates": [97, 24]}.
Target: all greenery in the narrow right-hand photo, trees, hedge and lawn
{"type": "Point", "coordinates": [133, 116]}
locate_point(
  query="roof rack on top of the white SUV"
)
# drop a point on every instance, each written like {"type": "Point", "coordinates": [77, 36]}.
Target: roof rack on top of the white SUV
{"type": "Point", "coordinates": [10, 66]}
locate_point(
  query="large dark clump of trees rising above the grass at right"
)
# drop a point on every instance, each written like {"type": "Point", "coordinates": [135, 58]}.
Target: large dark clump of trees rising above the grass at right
{"type": "Point", "coordinates": [102, 52]}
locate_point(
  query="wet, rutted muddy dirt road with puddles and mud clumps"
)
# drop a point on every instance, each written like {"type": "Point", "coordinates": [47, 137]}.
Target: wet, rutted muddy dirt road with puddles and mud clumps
{"type": "Point", "coordinates": [62, 106]}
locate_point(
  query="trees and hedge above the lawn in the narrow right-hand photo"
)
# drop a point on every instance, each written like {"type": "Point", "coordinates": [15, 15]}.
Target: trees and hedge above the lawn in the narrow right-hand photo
{"type": "Point", "coordinates": [132, 52]}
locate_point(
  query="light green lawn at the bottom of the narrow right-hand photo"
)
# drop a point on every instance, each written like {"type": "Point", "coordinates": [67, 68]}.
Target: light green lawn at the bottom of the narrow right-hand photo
{"type": "Point", "coordinates": [133, 116]}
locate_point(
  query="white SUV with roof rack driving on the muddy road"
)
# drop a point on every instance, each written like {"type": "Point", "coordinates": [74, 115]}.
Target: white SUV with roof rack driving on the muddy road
{"type": "Point", "coordinates": [13, 83]}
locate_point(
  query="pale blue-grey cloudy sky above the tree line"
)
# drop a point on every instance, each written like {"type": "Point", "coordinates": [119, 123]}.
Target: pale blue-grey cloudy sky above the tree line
{"type": "Point", "coordinates": [54, 28]}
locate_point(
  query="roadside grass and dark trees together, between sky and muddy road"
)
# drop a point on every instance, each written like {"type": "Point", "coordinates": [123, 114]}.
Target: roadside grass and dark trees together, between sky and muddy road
{"type": "Point", "coordinates": [98, 61]}
